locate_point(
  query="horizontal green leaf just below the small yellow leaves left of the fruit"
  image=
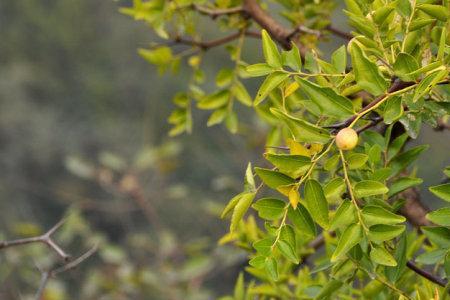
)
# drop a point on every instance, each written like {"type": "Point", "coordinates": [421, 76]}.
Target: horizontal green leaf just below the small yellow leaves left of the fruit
{"type": "Point", "coordinates": [292, 165]}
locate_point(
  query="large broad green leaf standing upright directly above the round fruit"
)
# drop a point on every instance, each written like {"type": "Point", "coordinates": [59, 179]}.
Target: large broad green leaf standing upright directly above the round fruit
{"type": "Point", "coordinates": [367, 74]}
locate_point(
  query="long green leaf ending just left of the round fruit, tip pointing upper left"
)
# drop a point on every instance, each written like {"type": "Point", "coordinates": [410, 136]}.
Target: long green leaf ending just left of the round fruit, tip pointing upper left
{"type": "Point", "coordinates": [303, 131]}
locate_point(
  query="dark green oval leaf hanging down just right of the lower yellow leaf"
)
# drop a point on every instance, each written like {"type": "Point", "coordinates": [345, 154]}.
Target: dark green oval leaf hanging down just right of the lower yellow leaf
{"type": "Point", "coordinates": [316, 202]}
